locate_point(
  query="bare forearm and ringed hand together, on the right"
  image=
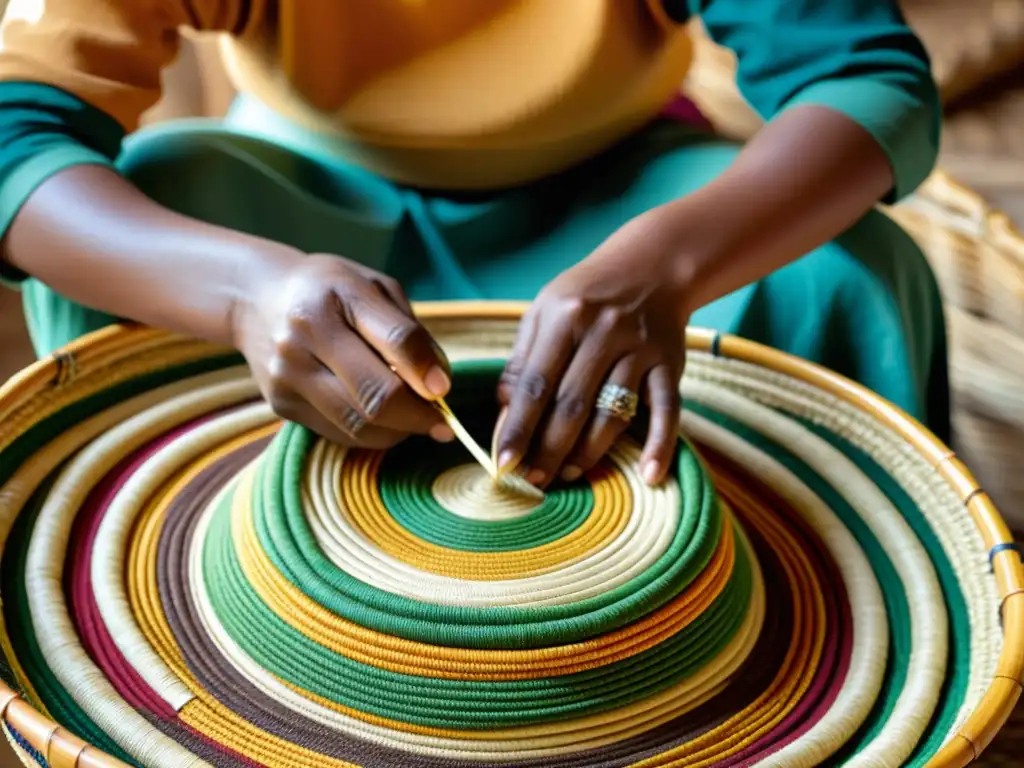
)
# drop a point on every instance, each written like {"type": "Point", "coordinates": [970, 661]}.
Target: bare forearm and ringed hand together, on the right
{"type": "Point", "coordinates": [620, 316]}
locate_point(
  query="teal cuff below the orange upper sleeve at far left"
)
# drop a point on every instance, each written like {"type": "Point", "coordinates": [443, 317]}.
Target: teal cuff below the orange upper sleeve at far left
{"type": "Point", "coordinates": [45, 131]}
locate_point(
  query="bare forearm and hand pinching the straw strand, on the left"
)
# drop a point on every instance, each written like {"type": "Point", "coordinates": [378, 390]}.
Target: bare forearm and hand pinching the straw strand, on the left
{"type": "Point", "coordinates": [333, 346]}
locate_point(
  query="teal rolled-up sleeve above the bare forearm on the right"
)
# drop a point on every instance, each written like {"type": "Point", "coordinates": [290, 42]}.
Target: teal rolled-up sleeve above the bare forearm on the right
{"type": "Point", "coordinates": [857, 57]}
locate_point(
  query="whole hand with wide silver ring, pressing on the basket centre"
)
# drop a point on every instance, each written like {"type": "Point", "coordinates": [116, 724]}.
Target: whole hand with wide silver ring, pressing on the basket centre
{"type": "Point", "coordinates": [618, 318]}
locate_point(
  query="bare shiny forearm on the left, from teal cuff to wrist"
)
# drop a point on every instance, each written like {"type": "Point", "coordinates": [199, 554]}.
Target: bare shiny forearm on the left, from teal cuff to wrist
{"type": "Point", "coordinates": [96, 239]}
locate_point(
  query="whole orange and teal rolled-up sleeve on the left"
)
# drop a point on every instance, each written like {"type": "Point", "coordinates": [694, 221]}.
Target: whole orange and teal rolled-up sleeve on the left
{"type": "Point", "coordinates": [76, 77]}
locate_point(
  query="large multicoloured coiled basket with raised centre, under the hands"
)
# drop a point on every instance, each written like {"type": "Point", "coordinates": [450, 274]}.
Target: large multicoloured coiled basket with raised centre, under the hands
{"type": "Point", "coordinates": [188, 582]}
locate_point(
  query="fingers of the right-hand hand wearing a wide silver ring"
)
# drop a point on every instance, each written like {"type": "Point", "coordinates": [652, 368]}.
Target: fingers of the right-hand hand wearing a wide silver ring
{"type": "Point", "coordinates": [551, 385]}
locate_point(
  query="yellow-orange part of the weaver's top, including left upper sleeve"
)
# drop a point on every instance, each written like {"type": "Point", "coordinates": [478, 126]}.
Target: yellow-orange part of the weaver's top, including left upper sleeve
{"type": "Point", "coordinates": [460, 94]}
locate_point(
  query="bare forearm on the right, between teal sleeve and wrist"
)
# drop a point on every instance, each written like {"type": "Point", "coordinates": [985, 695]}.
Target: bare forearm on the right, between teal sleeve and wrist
{"type": "Point", "coordinates": [800, 183]}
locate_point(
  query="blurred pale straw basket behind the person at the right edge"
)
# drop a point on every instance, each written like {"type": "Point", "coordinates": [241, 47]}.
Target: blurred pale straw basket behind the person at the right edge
{"type": "Point", "coordinates": [978, 258]}
